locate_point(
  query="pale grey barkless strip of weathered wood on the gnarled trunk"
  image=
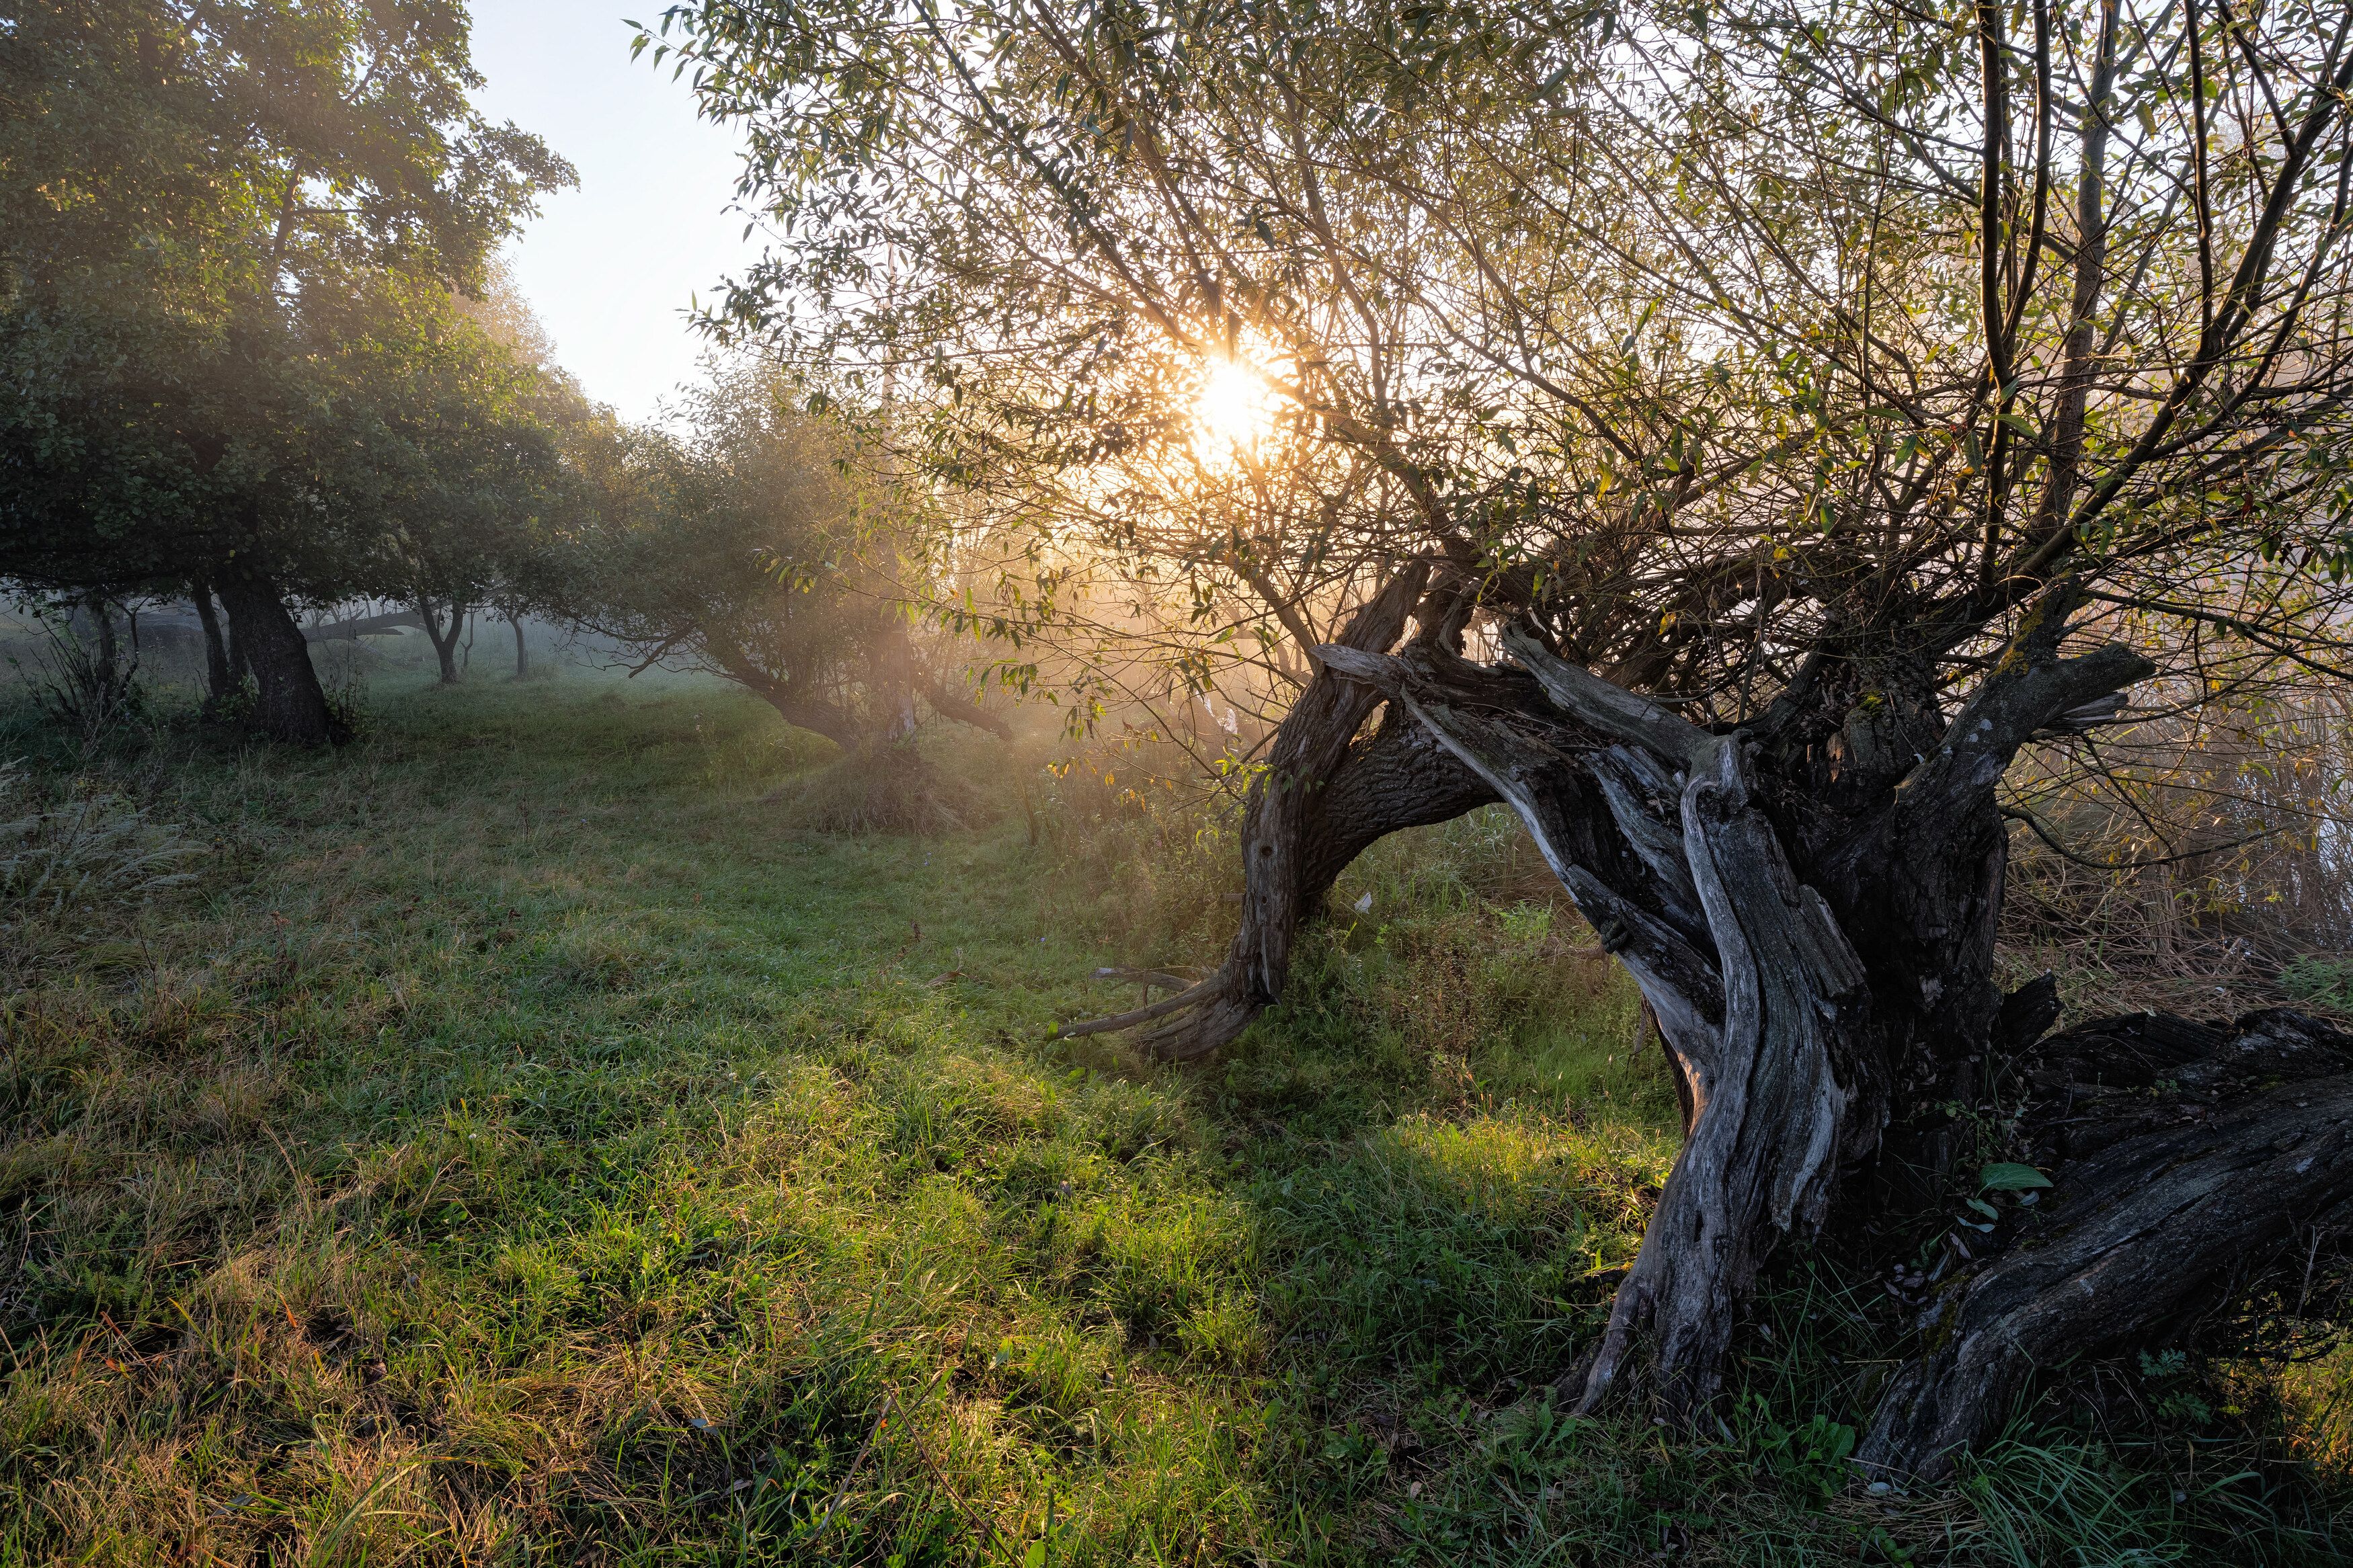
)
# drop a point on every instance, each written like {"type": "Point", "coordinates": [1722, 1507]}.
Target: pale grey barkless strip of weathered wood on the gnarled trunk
{"type": "Point", "coordinates": [1761, 1012]}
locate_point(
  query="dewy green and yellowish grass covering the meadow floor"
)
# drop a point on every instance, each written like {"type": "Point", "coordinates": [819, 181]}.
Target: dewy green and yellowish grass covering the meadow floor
{"type": "Point", "coordinates": [526, 1146]}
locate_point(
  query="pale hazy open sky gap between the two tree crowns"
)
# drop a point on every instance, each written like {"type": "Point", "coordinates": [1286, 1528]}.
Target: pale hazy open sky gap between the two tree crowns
{"type": "Point", "coordinates": [613, 267]}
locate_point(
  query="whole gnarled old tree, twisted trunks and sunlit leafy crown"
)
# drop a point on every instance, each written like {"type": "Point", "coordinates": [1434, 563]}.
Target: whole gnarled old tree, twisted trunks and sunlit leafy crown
{"type": "Point", "coordinates": [1728, 436]}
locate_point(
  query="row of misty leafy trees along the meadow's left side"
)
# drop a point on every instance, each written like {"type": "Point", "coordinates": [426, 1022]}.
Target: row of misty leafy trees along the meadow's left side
{"type": "Point", "coordinates": [255, 351]}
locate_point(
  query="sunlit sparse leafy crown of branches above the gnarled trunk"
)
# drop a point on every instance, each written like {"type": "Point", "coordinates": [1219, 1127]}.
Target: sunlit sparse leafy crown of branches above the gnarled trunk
{"type": "Point", "coordinates": [1717, 337]}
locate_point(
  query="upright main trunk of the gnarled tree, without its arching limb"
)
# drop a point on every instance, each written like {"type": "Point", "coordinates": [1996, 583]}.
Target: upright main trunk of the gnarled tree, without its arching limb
{"type": "Point", "coordinates": [1813, 974]}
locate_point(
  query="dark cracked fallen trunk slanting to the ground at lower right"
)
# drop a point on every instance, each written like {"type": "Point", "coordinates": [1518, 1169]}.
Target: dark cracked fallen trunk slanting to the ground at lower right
{"type": "Point", "coordinates": [2189, 1181]}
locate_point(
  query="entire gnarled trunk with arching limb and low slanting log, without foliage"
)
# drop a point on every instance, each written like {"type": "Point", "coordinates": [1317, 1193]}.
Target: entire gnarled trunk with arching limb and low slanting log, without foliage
{"type": "Point", "coordinates": [1811, 911]}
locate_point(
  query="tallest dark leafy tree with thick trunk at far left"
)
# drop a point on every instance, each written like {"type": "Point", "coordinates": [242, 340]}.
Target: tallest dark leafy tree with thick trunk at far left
{"type": "Point", "coordinates": [192, 196]}
